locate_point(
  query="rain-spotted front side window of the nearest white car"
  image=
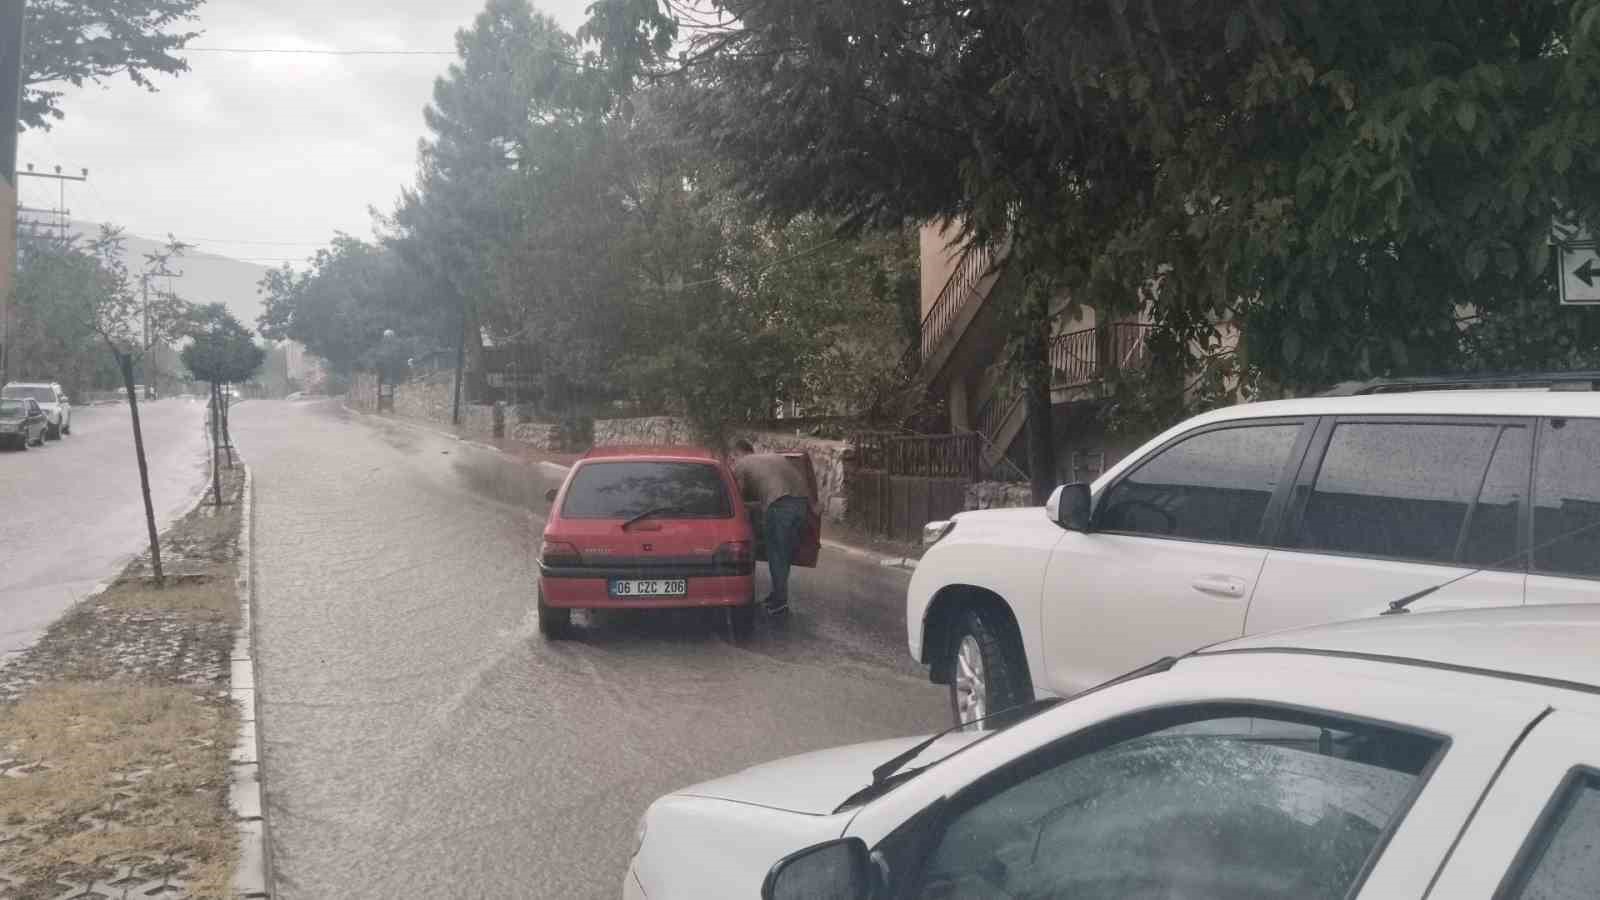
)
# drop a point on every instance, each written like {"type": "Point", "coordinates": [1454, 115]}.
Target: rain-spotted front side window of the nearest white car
{"type": "Point", "coordinates": [1228, 806]}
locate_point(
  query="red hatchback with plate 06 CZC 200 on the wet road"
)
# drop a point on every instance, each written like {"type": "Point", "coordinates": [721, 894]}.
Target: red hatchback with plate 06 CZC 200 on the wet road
{"type": "Point", "coordinates": [647, 529]}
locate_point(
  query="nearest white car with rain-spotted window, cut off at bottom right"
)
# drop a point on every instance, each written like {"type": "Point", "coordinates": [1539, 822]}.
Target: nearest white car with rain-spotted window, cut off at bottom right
{"type": "Point", "coordinates": [1450, 755]}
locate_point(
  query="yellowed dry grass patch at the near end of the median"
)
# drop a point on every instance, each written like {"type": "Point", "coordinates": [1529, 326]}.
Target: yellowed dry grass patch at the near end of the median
{"type": "Point", "coordinates": [113, 781]}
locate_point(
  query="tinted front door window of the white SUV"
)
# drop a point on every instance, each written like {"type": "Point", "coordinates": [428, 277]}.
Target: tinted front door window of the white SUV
{"type": "Point", "coordinates": [1210, 488]}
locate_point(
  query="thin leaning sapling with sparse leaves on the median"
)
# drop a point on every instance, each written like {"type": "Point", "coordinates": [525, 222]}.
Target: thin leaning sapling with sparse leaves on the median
{"type": "Point", "coordinates": [118, 316]}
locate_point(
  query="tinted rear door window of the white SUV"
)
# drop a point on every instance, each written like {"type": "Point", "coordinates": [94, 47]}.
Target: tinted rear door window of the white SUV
{"type": "Point", "coordinates": [1407, 491]}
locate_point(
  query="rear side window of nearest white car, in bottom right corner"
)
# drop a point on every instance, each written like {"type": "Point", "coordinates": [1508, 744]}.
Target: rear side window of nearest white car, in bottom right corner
{"type": "Point", "coordinates": [1562, 861]}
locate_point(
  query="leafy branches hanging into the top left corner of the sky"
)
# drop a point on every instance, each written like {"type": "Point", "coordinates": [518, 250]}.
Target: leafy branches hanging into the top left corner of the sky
{"type": "Point", "coordinates": [94, 41]}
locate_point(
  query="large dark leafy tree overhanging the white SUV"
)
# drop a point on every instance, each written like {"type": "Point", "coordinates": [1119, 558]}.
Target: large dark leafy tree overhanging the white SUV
{"type": "Point", "coordinates": [1362, 188]}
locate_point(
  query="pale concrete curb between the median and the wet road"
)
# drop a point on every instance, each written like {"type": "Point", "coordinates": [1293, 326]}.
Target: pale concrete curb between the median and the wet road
{"type": "Point", "coordinates": [254, 877]}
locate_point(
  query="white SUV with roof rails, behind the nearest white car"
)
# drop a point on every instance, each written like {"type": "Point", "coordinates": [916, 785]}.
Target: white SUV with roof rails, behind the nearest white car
{"type": "Point", "coordinates": [1268, 516]}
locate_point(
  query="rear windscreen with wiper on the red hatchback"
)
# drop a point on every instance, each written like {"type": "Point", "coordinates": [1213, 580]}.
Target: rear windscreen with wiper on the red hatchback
{"type": "Point", "coordinates": [626, 489]}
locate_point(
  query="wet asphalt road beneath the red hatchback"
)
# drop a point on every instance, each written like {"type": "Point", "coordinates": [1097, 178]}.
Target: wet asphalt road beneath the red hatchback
{"type": "Point", "coordinates": [423, 741]}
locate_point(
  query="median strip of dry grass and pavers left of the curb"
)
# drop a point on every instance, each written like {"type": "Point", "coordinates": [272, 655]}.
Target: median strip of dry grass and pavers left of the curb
{"type": "Point", "coordinates": [116, 731]}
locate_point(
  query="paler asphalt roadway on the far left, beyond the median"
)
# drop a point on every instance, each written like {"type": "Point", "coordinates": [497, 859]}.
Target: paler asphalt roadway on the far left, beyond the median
{"type": "Point", "coordinates": [71, 513]}
